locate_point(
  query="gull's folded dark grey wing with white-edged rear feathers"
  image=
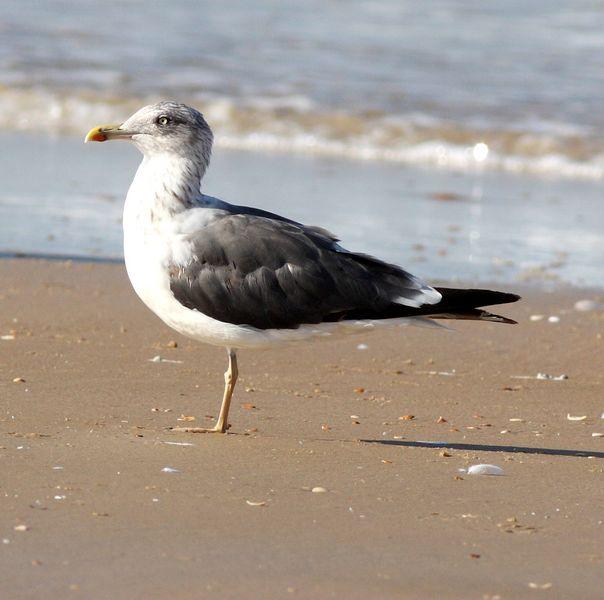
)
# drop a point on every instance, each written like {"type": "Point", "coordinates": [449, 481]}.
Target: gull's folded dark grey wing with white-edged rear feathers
{"type": "Point", "coordinates": [252, 268]}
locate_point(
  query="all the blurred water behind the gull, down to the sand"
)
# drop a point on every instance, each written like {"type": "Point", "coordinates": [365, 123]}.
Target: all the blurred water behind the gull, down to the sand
{"type": "Point", "coordinates": [464, 136]}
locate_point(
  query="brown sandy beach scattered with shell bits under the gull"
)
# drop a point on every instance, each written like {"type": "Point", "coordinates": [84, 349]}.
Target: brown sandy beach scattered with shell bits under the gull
{"type": "Point", "coordinates": [88, 512]}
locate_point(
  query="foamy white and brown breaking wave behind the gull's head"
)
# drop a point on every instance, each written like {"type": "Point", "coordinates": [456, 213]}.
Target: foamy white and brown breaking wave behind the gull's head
{"type": "Point", "coordinates": [296, 124]}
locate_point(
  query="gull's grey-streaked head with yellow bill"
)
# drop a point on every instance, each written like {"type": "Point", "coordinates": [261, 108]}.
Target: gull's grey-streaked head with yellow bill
{"type": "Point", "coordinates": [162, 128]}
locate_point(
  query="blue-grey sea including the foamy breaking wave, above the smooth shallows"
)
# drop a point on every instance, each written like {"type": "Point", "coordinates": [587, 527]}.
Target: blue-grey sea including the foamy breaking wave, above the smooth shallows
{"type": "Point", "coordinates": [460, 84]}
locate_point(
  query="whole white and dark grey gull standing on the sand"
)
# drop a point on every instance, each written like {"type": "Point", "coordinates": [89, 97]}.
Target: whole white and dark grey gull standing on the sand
{"type": "Point", "coordinates": [241, 277]}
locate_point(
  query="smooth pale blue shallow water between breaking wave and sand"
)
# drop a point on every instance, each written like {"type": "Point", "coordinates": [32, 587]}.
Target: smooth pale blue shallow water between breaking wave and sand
{"type": "Point", "coordinates": [60, 197]}
